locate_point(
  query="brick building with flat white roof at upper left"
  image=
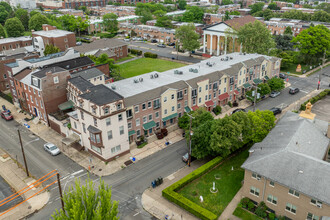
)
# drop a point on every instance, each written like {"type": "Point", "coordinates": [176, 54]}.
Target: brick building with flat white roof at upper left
{"type": "Point", "coordinates": [59, 38]}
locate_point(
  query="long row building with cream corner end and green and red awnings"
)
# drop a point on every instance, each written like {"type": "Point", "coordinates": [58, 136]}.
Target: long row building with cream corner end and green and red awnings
{"type": "Point", "coordinates": [142, 105]}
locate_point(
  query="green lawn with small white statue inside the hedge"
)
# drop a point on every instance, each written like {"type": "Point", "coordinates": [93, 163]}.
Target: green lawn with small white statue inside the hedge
{"type": "Point", "coordinates": [228, 185]}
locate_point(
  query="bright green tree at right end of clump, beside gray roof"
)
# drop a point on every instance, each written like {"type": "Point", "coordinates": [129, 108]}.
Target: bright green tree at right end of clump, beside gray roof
{"type": "Point", "coordinates": [262, 122]}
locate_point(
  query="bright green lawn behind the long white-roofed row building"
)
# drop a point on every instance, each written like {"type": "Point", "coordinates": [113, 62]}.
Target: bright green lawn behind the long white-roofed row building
{"type": "Point", "coordinates": [146, 65]}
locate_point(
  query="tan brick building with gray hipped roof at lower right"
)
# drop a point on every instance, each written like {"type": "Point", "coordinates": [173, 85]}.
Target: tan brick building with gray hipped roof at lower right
{"type": "Point", "coordinates": [288, 171]}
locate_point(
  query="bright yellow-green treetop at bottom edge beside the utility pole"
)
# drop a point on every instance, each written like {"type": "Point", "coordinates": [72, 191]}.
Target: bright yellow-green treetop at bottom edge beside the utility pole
{"type": "Point", "coordinates": [84, 202]}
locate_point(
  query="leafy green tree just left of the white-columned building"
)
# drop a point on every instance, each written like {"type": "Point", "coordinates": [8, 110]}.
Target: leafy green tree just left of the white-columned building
{"type": "Point", "coordinates": [188, 37]}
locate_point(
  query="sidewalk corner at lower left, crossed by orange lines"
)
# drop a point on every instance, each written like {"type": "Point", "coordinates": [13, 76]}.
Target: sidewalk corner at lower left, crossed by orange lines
{"type": "Point", "coordinates": [18, 180]}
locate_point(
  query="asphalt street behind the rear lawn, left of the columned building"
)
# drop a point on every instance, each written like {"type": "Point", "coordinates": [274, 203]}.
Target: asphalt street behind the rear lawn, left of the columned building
{"type": "Point", "coordinates": [163, 52]}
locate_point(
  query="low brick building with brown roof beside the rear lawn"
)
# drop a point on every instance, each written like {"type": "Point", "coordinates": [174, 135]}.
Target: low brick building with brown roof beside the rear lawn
{"type": "Point", "coordinates": [114, 48]}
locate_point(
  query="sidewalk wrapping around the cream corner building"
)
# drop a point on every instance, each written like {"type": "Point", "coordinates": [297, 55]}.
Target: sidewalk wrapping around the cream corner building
{"type": "Point", "coordinates": [83, 158]}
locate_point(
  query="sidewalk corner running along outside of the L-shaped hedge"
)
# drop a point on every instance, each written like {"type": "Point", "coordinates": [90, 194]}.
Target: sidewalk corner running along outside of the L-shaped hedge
{"type": "Point", "coordinates": [158, 206]}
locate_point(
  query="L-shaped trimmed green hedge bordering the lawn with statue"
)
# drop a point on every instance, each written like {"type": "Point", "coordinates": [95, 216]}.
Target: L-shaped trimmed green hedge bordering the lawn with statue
{"type": "Point", "coordinates": [171, 194]}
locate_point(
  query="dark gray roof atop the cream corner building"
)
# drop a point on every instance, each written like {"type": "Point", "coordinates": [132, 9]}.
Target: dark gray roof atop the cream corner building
{"type": "Point", "coordinates": [101, 95]}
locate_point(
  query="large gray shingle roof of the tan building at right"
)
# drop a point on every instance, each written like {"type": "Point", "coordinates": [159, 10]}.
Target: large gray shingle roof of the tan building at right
{"type": "Point", "coordinates": [292, 155]}
